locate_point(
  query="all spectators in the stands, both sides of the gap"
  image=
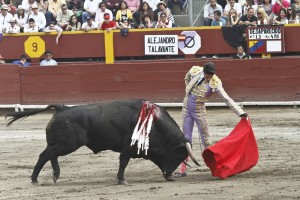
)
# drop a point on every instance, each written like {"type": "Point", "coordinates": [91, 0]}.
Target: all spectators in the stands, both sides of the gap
{"type": "Point", "coordinates": [73, 15]}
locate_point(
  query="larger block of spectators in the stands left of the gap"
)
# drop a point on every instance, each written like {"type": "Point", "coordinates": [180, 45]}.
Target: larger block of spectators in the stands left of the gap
{"type": "Point", "coordinates": [27, 16]}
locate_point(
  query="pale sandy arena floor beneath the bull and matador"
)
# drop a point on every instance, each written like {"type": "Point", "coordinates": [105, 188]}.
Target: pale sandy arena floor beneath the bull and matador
{"type": "Point", "coordinates": [85, 175]}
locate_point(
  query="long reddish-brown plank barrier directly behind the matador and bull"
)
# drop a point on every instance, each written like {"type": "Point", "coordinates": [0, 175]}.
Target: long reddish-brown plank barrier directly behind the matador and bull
{"type": "Point", "coordinates": [274, 79]}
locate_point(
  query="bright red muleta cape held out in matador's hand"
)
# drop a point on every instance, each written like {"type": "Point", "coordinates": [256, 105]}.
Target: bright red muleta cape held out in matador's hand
{"type": "Point", "coordinates": [233, 154]}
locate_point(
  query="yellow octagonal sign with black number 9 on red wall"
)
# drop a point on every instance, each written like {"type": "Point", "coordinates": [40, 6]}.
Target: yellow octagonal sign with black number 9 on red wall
{"type": "Point", "coordinates": [34, 46]}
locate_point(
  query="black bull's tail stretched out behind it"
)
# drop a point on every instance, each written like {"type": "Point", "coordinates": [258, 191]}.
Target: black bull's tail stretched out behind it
{"type": "Point", "coordinates": [14, 116]}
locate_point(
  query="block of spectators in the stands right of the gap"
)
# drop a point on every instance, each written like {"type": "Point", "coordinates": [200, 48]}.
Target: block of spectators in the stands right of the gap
{"type": "Point", "coordinates": [251, 12]}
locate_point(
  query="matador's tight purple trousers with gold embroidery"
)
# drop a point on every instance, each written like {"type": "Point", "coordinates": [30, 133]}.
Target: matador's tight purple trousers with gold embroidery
{"type": "Point", "coordinates": [194, 111]}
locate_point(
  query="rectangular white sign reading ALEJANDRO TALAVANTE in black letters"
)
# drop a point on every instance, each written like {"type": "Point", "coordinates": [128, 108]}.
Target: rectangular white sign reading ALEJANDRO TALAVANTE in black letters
{"type": "Point", "coordinates": [161, 45]}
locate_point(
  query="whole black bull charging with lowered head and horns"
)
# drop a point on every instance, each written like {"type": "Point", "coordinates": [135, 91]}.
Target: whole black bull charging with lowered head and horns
{"type": "Point", "coordinates": [109, 126]}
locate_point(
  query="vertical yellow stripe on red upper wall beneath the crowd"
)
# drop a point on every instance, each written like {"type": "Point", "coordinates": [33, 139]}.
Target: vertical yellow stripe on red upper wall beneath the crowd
{"type": "Point", "coordinates": [109, 47]}
